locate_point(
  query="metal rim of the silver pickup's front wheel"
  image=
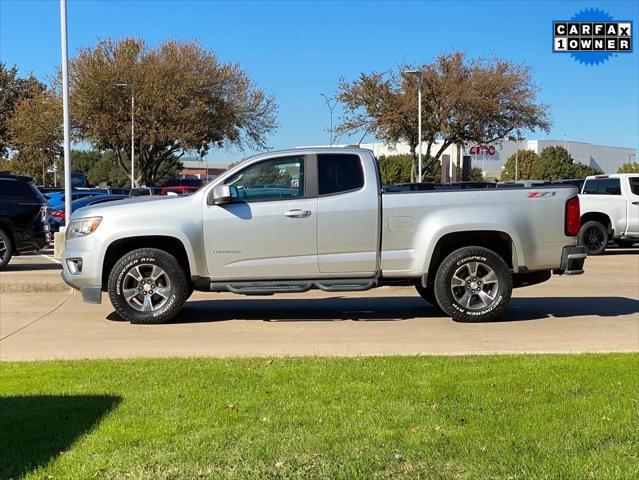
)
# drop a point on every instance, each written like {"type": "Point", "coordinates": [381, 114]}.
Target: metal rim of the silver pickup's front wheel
{"type": "Point", "coordinates": [146, 288]}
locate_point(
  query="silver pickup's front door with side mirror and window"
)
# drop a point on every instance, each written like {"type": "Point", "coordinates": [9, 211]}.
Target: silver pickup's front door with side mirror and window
{"type": "Point", "coordinates": [270, 229]}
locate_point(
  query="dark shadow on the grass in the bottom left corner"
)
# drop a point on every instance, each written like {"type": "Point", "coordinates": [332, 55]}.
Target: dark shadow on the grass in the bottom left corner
{"type": "Point", "coordinates": [36, 429]}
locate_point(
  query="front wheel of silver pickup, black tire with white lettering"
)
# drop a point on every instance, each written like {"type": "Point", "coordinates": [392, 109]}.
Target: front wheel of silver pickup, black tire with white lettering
{"type": "Point", "coordinates": [172, 282]}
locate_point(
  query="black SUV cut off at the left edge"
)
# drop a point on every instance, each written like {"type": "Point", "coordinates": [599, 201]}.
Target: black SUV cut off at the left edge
{"type": "Point", "coordinates": [23, 217]}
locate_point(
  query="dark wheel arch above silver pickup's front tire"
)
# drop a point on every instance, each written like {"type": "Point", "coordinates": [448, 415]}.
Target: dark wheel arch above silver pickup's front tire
{"type": "Point", "coordinates": [122, 246]}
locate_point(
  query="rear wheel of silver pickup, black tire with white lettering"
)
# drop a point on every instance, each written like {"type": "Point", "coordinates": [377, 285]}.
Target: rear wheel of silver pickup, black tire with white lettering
{"type": "Point", "coordinates": [497, 287]}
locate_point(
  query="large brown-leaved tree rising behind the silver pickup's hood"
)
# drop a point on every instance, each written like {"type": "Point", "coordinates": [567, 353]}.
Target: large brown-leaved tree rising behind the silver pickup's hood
{"type": "Point", "coordinates": [185, 100]}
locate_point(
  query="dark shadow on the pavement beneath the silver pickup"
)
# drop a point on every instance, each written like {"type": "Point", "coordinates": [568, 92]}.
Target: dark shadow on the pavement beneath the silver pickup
{"type": "Point", "coordinates": [388, 309]}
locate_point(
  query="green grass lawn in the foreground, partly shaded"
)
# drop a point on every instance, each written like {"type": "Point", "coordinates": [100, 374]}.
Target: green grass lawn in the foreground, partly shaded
{"type": "Point", "coordinates": [544, 416]}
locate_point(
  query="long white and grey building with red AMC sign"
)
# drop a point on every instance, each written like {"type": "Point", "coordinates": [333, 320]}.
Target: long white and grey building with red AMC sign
{"type": "Point", "coordinates": [492, 157]}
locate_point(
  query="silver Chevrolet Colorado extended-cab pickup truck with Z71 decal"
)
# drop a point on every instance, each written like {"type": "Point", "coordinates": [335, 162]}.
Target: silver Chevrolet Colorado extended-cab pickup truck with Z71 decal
{"type": "Point", "coordinates": [300, 219]}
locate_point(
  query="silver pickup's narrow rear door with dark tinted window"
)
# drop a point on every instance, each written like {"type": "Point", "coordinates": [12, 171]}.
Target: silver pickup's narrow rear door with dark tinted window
{"type": "Point", "coordinates": [348, 215]}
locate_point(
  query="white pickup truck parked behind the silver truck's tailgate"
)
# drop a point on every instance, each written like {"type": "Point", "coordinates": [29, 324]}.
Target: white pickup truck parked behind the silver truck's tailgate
{"type": "Point", "coordinates": [610, 211]}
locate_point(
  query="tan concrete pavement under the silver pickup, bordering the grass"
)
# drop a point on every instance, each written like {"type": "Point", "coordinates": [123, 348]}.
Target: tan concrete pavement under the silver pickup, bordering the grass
{"type": "Point", "coordinates": [596, 312]}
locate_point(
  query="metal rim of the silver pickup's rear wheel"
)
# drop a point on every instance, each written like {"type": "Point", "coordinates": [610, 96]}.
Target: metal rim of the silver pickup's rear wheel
{"type": "Point", "coordinates": [474, 286]}
